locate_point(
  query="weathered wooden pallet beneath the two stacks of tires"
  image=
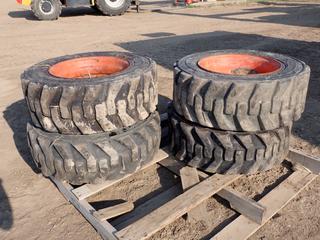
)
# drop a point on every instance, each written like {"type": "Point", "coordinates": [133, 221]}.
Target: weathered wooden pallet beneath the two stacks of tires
{"type": "Point", "coordinates": [143, 221]}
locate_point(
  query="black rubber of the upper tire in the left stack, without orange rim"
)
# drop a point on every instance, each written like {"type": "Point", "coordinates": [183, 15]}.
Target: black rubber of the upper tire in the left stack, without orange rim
{"type": "Point", "coordinates": [87, 106]}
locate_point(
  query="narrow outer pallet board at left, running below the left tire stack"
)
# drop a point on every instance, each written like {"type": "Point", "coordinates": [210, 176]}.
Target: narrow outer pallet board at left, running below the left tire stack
{"type": "Point", "coordinates": [105, 229]}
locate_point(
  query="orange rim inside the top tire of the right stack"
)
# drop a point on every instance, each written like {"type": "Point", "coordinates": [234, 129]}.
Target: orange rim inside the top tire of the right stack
{"type": "Point", "coordinates": [239, 64]}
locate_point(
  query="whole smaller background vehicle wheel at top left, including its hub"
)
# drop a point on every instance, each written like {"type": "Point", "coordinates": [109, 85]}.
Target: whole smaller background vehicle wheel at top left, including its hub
{"type": "Point", "coordinates": [46, 9]}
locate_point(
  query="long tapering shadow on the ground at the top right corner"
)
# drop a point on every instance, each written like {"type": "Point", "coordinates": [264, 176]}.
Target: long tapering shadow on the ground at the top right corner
{"type": "Point", "coordinates": [278, 13]}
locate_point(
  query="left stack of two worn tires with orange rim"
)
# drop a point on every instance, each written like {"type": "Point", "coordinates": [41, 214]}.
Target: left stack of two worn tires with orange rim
{"type": "Point", "coordinates": [93, 115]}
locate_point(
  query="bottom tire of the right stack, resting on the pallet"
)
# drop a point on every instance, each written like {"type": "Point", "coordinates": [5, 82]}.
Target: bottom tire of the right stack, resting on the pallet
{"type": "Point", "coordinates": [227, 152]}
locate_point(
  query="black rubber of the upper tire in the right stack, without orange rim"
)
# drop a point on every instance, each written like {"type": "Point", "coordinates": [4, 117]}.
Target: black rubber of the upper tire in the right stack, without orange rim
{"type": "Point", "coordinates": [240, 103]}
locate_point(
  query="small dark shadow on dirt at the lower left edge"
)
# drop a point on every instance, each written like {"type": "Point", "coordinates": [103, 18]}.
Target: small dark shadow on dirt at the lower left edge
{"type": "Point", "coordinates": [6, 219]}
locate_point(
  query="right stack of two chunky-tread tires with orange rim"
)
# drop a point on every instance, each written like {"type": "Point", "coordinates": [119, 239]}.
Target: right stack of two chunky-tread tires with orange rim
{"type": "Point", "coordinates": [234, 109]}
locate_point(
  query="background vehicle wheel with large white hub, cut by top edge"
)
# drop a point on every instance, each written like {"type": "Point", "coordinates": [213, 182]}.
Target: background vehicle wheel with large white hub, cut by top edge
{"type": "Point", "coordinates": [113, 8]}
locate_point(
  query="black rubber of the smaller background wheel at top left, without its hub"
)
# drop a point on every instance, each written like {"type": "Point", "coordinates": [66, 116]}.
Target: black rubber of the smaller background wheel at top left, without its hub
{"type": "Point", "coordinates": [54, 15]}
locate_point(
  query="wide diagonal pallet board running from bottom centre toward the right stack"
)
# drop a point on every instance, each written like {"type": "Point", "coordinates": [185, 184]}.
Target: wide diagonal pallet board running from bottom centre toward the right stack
{"type": "Point", "coordinates": [159, 218]}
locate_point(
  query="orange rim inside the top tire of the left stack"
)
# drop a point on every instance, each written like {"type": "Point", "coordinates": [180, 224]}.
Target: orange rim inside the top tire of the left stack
{"type": "Point", "coordinates": [89, 67]}
